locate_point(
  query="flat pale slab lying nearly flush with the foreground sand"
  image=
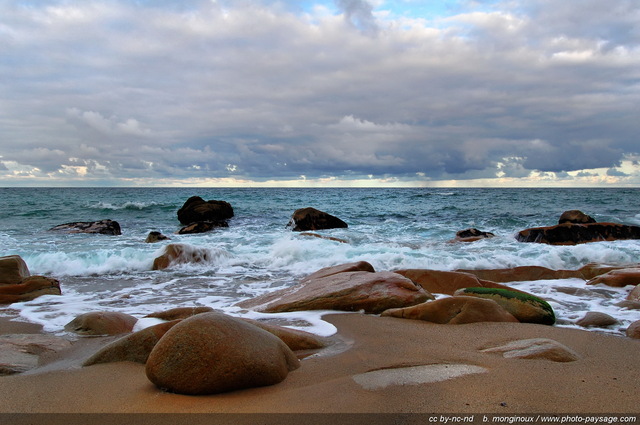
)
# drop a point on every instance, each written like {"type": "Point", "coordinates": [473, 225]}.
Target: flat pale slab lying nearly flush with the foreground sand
{"type": "Point", "coordinates": [414, 375]}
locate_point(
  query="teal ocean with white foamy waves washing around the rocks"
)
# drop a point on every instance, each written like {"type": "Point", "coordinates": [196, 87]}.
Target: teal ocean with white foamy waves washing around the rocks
{"type": "Point", "coordinates": [390, 228]}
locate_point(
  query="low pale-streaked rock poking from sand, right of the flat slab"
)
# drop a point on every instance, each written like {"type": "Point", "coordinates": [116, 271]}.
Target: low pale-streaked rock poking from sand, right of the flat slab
{"type": "Point", "coordinates": [536, 348]}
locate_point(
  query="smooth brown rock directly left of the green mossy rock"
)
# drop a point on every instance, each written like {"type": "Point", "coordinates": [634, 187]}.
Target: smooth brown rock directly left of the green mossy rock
{"type": "Point", "coordinates": [454, 311]}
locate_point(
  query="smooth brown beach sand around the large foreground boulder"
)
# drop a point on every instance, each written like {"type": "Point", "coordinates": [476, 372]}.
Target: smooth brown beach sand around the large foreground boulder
{"type": "Point", "coordinates": [606, 379]}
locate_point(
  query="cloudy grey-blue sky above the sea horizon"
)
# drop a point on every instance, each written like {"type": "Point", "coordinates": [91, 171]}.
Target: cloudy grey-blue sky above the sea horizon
{"type": "Point", "coordinates": [454, 93]}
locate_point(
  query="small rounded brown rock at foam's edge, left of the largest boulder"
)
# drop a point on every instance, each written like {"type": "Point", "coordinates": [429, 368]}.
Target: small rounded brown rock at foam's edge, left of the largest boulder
{"type": "Point", "coordinates": [101, 323]}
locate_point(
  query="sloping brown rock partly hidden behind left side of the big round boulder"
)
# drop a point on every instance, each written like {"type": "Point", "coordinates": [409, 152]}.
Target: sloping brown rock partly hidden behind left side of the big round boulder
{"type": "Point", "coordinates": [132, 348]}
